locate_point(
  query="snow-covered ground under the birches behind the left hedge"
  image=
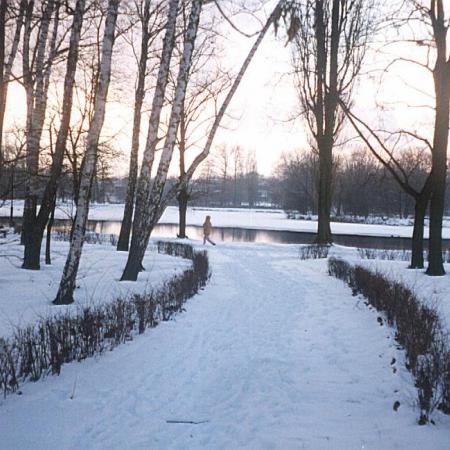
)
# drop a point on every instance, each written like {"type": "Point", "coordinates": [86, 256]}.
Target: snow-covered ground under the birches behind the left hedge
{"type": "Point", "coordinates": [26, 295]}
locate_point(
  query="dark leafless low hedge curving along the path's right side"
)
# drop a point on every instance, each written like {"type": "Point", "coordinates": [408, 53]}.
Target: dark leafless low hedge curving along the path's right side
{"type": "Point", "coordinates": [419, 331]}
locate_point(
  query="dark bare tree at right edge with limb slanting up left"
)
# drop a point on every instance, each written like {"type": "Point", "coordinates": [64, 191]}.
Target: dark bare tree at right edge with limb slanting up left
{"type": "Point", "coordinates": [432, 14]}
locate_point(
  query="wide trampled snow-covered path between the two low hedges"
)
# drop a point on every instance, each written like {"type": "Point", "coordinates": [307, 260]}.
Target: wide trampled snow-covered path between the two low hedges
{"type": "Point", "coordinates": [274, 354]}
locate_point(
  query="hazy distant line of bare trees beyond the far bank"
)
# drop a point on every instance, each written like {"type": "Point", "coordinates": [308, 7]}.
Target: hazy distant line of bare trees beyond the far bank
{"type": "Point", "coordinates": [362, 187]}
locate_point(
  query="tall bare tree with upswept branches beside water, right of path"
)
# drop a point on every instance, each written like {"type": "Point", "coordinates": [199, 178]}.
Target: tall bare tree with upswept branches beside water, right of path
{"type": "Point", "coordinates": [329, 42]}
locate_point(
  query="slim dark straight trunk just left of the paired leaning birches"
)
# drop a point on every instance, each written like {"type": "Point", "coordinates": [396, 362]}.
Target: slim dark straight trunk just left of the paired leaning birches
{"type": "Point", "coordinates": [125, 229]}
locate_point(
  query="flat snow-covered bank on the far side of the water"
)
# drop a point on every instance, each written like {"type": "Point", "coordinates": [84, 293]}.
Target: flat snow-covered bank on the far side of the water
{"type": "Point", "coordinates": [242, 218]}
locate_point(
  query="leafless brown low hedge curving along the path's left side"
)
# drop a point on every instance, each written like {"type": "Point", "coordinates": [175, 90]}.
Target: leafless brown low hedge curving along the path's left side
{"type": "Point", "coordinates": [42, 348]}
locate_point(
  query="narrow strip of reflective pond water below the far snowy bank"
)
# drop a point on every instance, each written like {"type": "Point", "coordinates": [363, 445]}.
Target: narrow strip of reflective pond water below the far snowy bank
{"type": "Point", "coordinates": [250, 235]}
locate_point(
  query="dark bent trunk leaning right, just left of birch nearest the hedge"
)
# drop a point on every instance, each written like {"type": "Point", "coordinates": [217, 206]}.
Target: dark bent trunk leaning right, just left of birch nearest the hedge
{"type": "Point", "coordinates": [32, 249]}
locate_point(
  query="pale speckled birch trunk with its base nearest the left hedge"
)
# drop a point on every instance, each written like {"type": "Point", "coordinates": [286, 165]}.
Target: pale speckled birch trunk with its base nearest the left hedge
{"type": "Point", "coordinates": [68, 280]}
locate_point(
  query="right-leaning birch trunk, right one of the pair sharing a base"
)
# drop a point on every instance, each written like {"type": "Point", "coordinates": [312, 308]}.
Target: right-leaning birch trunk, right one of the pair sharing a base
{"type": "Point", "coordinates": [148, 206]}
